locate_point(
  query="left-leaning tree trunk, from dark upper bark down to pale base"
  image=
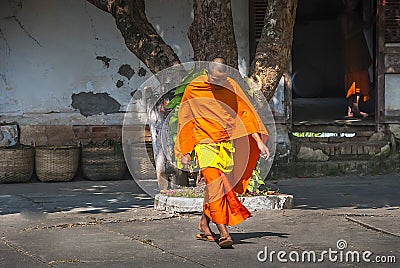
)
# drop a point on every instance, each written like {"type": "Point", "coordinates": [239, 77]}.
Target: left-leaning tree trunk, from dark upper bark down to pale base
{"type": "Point", "coordinates": [143, 40]}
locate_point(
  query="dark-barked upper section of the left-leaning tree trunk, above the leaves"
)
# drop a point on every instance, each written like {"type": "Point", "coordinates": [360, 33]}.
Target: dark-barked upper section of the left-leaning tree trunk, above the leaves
{"type": "Point", "coordinates": [140, 36]}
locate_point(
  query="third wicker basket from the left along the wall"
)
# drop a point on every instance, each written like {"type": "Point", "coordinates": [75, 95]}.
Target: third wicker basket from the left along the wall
{"type": "Point", "coordinates": [101, 162]}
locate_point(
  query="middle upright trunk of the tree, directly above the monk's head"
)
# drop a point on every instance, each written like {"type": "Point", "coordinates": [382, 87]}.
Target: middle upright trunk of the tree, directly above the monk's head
{"type": "Point", "coordinates": [211, 32]}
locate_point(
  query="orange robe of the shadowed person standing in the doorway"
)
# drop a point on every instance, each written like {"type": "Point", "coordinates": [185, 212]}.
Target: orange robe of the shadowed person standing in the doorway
{"type": "Point", "coordinates": [356, 57]}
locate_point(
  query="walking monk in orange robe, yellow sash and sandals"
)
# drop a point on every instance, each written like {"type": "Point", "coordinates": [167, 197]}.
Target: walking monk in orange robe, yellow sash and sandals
{"type": "Point", "coordinates": [217, 121]}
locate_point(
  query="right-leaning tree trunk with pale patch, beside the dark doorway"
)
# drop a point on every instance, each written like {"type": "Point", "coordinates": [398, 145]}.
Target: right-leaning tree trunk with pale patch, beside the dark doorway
{"type": "Point", "coordinates": [275, 45]}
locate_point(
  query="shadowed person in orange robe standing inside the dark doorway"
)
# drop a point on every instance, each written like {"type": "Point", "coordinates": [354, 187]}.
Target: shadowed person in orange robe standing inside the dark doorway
{"type": "Point", "coordinates": [356, 58]}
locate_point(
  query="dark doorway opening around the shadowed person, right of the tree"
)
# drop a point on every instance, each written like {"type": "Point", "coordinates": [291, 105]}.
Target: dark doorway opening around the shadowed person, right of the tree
{"type": "Point", "coordinates": [318, 65]}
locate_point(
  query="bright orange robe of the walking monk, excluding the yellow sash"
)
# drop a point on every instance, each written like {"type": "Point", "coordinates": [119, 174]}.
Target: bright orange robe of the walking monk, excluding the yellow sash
{"type": "Point", "coordinates": [211, 114]}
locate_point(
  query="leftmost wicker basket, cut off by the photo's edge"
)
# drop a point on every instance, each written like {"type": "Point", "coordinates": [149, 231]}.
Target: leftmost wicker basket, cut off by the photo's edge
{"type": "Point", "coordinates": [16, 164]}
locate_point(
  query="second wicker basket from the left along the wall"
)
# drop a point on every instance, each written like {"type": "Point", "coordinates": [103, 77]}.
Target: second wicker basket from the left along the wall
{"type": "Point", "coordinates": [56, 163]}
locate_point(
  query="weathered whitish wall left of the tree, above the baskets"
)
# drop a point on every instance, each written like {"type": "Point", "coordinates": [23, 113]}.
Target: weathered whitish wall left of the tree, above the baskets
{"type": "Point", "coordinates": [42, 75]}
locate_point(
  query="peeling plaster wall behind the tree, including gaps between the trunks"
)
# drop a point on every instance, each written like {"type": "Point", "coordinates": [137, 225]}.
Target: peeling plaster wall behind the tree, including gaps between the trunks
{"type": "Point", "coordinates": [50, 50]}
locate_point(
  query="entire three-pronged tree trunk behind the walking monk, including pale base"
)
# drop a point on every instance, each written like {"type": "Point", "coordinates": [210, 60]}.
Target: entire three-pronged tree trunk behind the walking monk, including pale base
{"type": "Point", "coordinates": [211, 35]}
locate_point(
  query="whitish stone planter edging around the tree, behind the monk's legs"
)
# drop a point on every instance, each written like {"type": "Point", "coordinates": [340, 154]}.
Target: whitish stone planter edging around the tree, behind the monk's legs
{"type": "Point", "coordinates": [191, 205]}
